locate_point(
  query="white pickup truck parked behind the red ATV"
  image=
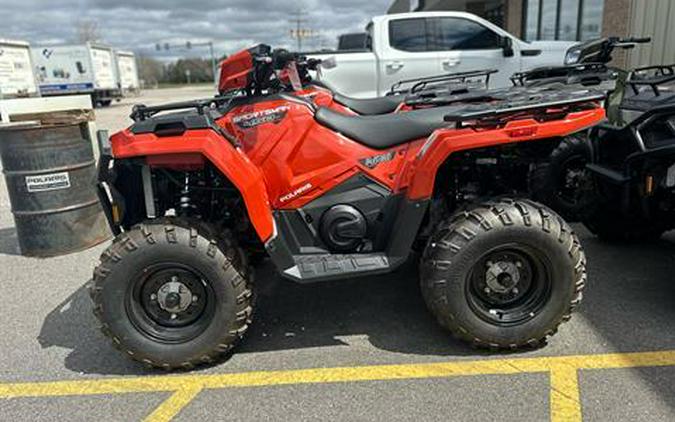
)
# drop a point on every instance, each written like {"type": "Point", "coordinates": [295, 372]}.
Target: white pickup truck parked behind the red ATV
{"type": "Point", "coordinates": [414, 45]}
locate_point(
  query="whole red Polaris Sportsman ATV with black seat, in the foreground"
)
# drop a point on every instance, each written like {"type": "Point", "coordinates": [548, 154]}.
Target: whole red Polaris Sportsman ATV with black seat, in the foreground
{"type": "Point", "coordinates": [192, 195]}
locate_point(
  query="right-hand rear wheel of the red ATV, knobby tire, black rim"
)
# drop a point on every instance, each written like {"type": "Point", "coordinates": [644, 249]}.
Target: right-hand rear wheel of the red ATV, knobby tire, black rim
{"type": "Point", "coordinates": [503, 274]}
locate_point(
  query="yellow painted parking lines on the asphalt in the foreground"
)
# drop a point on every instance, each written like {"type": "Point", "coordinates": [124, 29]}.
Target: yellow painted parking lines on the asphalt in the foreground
{"type": "Point", "coordinates": [564, 393]}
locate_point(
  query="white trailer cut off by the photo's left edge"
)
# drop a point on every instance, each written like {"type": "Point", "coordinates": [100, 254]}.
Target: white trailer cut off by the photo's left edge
{"type": "Point", "coordinates": [16, 70]}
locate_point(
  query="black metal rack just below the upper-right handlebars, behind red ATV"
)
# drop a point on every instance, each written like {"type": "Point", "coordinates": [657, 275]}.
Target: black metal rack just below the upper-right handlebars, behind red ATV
{"type": "Point", "coordinates": [587, 74]}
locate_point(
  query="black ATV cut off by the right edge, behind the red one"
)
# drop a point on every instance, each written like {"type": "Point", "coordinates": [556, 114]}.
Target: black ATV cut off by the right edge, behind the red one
{"type": "Point", "coordinates": [633, 161]}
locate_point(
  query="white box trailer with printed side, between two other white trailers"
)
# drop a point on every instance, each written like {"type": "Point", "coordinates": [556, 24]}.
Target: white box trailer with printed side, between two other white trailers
{"type": "Point", "coordinates": [78, 69]}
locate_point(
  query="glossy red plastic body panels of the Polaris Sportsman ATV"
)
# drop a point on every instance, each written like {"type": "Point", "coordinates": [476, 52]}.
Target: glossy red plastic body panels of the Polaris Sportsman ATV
{"type": "Point", "coordinates": [285, 159]}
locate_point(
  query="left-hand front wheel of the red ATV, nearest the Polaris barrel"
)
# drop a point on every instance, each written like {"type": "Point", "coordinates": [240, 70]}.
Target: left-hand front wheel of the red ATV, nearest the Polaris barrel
{"type": "Point", "coordinates": [170, 296]}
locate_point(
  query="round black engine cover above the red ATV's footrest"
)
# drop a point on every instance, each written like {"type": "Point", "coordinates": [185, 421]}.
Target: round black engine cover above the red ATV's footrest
{"type": "Point", "coordinates": [343, 228]}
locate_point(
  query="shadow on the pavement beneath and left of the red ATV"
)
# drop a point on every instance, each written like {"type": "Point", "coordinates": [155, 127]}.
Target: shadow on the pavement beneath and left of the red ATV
{"type": "Point", "coordinates": [388, 310]}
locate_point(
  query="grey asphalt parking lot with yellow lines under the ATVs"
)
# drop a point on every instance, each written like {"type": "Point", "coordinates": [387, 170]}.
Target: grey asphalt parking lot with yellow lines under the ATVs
{"type": "Point", "coordinates": [361, 349]}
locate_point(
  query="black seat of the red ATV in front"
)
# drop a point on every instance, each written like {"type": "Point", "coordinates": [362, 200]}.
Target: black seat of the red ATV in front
{"type": "Point", "coordinates": [387, 130]}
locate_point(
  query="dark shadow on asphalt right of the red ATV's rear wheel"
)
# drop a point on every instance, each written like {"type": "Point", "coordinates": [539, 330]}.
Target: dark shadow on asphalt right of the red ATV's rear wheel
{"type": "Point", "coordinates": [630, 299]}
